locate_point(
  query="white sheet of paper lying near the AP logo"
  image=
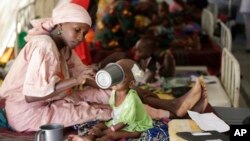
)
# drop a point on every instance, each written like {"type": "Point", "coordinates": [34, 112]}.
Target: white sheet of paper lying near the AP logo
{"type": "Point", "coordinates": [209, 122]}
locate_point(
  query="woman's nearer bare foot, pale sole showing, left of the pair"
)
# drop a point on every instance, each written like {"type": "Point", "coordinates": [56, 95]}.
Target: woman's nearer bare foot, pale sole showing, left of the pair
{"type": "Point", "coordinates": [188, 100]}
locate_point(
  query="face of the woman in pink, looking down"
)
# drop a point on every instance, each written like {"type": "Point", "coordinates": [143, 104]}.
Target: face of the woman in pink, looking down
{"type": "Point", "coordinates": [73, 33]}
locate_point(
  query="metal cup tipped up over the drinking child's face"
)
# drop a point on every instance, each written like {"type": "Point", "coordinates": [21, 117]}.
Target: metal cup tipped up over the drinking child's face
{"type": "Point", "coordinates": [112, 74]}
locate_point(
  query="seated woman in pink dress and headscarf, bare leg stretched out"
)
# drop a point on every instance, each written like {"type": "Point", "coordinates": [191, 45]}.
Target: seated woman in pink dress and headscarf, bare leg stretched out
{"type": "Point", "coordinates": [38, 87]}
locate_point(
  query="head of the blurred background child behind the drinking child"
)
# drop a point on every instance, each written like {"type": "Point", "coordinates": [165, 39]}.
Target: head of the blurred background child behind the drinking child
{"type": "Point", "coordinates": [144, 47]}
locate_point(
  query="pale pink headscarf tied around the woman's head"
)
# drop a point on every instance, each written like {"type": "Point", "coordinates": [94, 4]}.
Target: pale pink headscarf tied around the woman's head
{"type": "Point", "coordinates": [66, 12]}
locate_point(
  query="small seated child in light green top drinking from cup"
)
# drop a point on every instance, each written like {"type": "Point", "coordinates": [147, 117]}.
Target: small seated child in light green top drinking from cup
{"type": "Point", "coordinates": [129, 117]}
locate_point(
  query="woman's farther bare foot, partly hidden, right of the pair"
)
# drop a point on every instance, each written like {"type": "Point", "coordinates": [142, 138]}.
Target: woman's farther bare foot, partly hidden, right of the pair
{"type": "Point", "coordinates": [201, 105]}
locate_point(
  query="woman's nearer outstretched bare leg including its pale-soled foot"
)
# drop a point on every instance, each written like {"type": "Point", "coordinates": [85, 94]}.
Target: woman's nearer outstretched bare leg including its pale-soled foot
{"type": "Point", "coordinates": [178, 107]}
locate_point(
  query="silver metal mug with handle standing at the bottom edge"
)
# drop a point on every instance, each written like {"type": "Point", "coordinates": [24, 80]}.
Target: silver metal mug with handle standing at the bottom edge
{"type": "Point", "coordinates": [50, 132]}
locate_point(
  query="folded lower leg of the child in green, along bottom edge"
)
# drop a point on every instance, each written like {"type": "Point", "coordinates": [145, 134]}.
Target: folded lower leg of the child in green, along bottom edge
{"type": "Point", "coordinates": [119, 135]}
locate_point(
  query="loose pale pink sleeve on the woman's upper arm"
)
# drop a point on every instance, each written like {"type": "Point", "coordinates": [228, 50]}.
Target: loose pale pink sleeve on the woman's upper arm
{"type": "Point", "coordinates": [42, 71]}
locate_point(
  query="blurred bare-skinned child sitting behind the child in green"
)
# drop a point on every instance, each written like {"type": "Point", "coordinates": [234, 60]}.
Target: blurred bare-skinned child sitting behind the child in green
{"type": "Point", "coordinates": [154, 62]}
